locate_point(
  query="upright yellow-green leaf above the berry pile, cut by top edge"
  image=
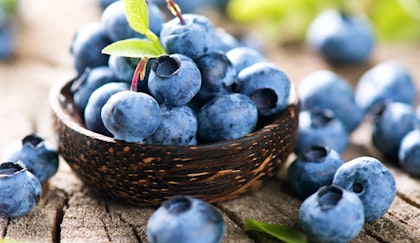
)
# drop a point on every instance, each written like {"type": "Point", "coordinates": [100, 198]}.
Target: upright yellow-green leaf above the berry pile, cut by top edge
{"type": "Point", "coordinates": [137, 15]}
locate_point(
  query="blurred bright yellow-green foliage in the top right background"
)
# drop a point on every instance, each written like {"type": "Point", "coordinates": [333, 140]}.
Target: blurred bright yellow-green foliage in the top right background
{"type": "Point", "coordinates": [287, 20]}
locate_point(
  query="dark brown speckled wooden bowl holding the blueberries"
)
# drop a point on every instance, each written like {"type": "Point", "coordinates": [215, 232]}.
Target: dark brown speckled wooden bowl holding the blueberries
{"type": "Point", "coordinates": [146, 175]}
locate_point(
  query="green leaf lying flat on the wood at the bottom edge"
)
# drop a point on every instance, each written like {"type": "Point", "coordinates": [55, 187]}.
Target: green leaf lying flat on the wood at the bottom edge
{"type": "Point", "coordinates": [281, 232]}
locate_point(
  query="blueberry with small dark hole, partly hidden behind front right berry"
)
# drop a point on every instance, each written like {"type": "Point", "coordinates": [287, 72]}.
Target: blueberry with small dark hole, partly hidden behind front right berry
{"type": "Point", "coordinates": [371, 181]}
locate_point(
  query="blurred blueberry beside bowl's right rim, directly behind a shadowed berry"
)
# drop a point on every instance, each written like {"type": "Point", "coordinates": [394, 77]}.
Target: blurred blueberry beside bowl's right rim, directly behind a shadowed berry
{"type": "Point", "coordinates": [321, 127]}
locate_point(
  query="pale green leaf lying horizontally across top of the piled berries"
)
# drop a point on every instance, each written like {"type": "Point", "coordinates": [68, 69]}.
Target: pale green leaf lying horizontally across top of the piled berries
{"type": "Point", "coordinates": [136, 48]}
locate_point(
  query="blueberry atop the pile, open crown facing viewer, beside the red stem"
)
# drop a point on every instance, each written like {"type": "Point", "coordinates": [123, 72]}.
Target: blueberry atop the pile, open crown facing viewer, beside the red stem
{"type": "Point", "coordinates": [174, 79]}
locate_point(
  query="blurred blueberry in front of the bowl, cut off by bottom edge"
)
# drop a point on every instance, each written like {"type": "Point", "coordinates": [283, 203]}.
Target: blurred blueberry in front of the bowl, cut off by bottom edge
{"type": "Point", "coordinates": [185, 219]}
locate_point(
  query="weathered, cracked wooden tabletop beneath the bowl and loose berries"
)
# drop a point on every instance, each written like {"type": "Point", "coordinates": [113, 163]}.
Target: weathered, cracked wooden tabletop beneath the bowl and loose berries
{"type": "Point", "coordinates": [71, 212]}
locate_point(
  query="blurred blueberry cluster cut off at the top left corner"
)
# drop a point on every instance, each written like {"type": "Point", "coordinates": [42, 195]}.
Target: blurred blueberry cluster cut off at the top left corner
{"type": "Point", "coordinates": [7, 28]}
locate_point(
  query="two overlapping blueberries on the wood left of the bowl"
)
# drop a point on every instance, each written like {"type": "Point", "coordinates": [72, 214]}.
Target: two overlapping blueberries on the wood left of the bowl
{"type": "Point", "coordinates": [26, 164]}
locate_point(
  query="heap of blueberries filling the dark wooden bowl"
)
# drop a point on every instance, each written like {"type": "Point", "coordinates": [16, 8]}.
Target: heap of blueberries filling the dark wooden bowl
{"type": "Point", "coordinates": [199, 92]}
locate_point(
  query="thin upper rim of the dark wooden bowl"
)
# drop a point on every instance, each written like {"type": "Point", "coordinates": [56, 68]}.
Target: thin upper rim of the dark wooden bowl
{"type": "Point", "coordinates": [57, 98]}
